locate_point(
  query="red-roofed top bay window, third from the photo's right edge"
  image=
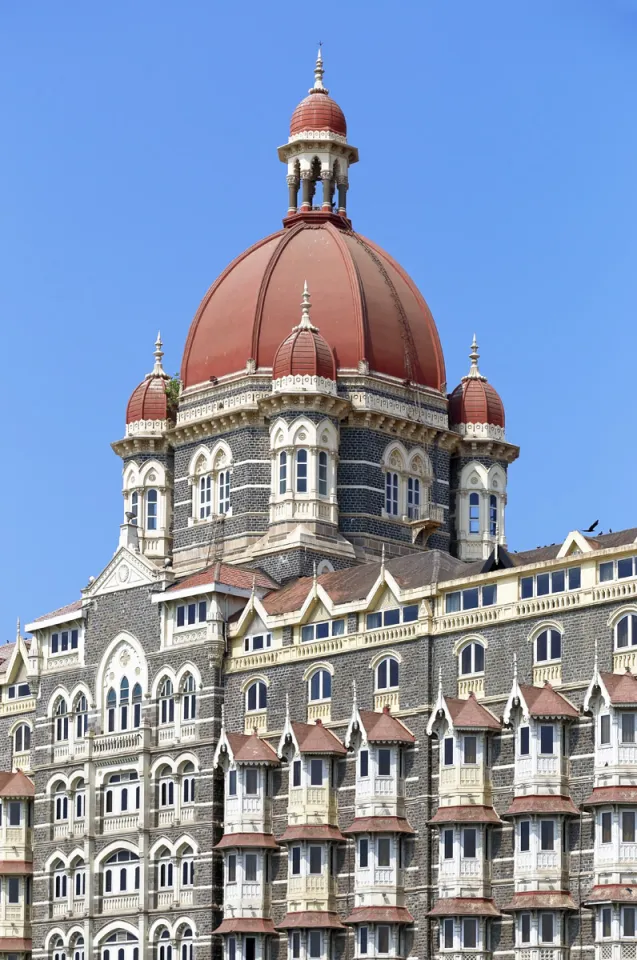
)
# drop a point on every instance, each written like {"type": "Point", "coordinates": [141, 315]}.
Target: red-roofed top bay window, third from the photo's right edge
{"type": "Point", "coordinates": [463, 728]}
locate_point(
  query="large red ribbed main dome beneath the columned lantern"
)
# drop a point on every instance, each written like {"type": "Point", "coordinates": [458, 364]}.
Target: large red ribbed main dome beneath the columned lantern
{"type": "Point", "coordinates": [363, 302]}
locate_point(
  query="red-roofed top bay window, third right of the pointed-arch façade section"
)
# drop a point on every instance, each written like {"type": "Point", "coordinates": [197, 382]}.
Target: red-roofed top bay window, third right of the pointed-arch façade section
{"type": "Point", "coordinates": [379, 742]}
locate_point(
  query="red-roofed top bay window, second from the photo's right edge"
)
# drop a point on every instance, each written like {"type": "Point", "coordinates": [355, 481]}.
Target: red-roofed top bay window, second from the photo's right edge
{"type": "Point", "coordinates": [539, 717]}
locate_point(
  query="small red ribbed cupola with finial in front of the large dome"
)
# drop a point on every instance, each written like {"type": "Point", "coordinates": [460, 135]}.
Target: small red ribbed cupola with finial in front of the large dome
{"type": "Point", "coordinates": [304, 360]}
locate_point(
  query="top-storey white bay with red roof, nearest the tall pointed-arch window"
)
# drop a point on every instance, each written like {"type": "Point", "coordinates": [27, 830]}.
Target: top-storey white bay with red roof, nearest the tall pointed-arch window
{"type": "Point", "coordinates": [247, 763]}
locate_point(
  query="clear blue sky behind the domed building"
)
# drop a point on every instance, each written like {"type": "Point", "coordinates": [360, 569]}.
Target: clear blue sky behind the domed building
{"type": "Point", "coordinates": [498, 151]}
